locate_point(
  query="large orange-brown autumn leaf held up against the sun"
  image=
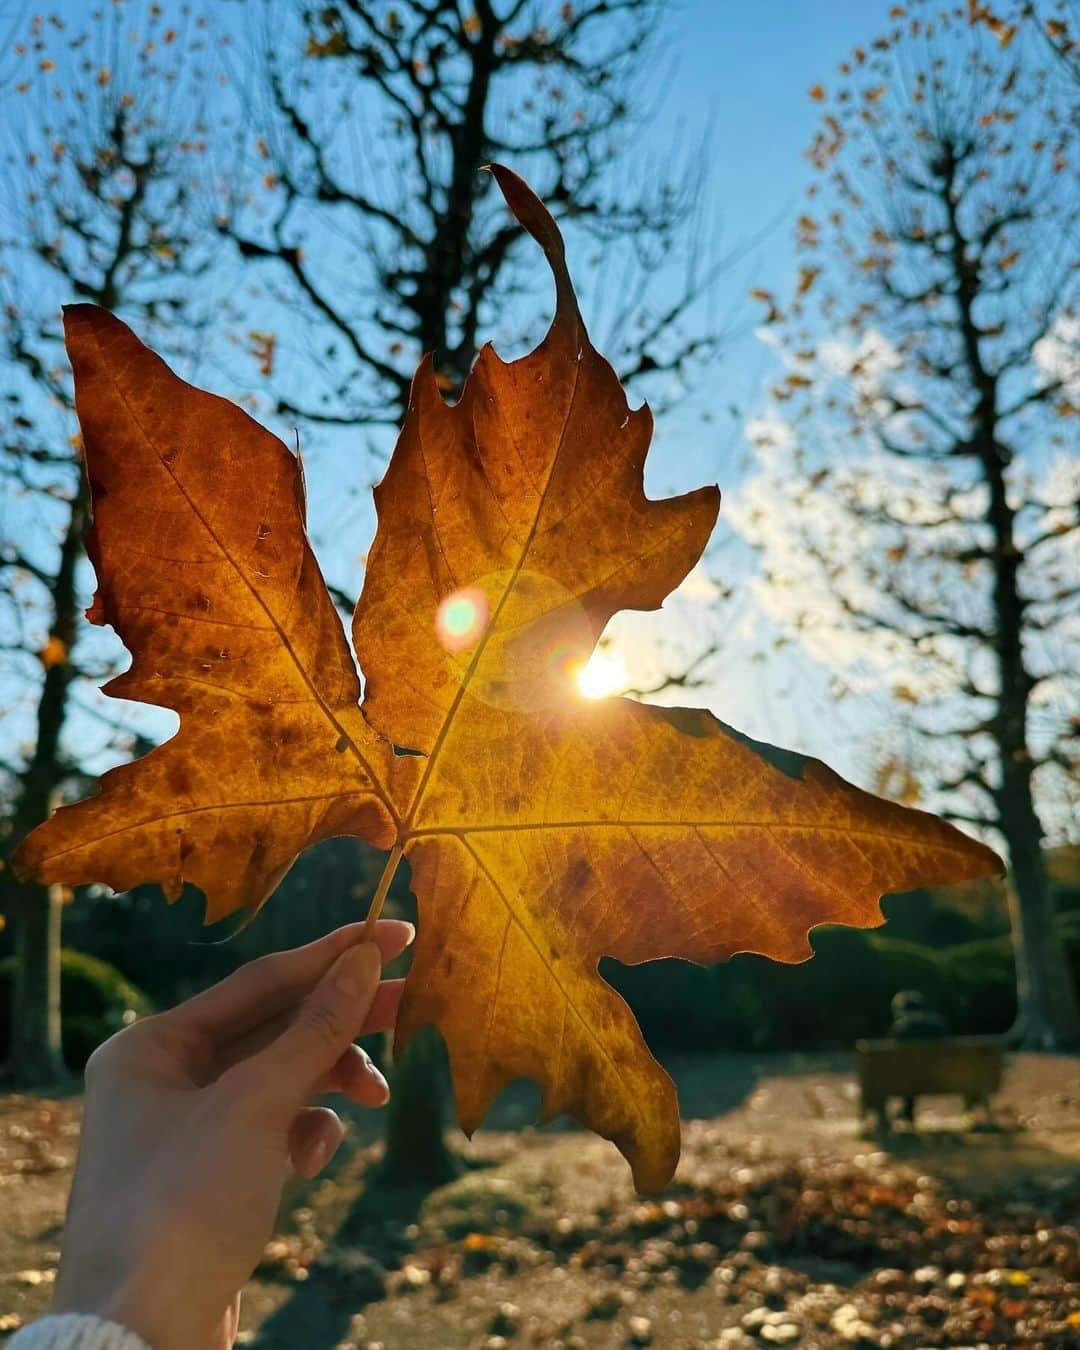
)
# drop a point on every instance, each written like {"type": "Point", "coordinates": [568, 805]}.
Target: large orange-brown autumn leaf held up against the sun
{"type": "Point", "coordinates": [543, 831]}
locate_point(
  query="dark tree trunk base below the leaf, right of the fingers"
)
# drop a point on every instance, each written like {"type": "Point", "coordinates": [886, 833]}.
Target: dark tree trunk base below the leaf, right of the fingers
{"type": "Point", "coordinates": [416, 1118]}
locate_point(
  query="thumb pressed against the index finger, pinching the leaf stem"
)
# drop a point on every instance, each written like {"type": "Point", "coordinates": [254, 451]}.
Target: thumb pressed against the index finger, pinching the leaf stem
{"type": "Point", "coordinates": [325, 1027]}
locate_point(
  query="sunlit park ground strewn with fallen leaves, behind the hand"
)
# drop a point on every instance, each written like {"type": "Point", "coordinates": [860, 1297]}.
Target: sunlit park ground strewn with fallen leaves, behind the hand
{"type": "Point", "coordinates": [782, 1228]}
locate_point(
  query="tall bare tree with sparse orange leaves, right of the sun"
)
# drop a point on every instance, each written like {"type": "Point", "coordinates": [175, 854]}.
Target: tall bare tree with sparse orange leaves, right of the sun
{"type": "Point", "coordinates": [916, 499]}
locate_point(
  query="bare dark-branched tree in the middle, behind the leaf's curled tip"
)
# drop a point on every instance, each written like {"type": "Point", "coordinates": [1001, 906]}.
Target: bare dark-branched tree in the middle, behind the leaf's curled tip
{"type": "Point", "coordinates": [375, 226]}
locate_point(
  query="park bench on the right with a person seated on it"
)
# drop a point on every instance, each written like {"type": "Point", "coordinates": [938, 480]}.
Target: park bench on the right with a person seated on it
{"type": "Point", "coordinates": [965, 1066]}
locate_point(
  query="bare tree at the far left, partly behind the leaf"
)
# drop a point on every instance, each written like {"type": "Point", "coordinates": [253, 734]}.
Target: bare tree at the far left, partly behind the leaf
{"type": "Point", "coordinates": [106, 160]}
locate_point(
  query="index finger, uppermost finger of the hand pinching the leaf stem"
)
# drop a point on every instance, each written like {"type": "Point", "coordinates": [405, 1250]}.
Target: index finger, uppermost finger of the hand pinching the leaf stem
{"type": "Point", "coordinates": [276, 983]}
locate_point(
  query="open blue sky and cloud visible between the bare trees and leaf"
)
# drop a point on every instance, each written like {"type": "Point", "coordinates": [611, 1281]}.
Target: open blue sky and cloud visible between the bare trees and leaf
{"type": "Point", "coordinates": [745, 72]}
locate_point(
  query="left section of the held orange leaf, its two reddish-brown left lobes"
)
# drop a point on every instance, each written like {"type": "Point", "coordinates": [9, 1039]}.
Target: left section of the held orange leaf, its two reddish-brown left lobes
{"type": "Point", "coordinates": [206, 573]}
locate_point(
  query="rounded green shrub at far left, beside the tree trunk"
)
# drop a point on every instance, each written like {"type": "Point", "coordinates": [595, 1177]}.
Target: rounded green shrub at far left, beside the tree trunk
{"type": "Point", "coordinates": [95, 1001]}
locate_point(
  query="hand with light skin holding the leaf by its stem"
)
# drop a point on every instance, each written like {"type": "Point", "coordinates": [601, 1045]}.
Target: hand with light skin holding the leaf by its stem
{"type": "Point", "coordinates": [194, 1121]}
